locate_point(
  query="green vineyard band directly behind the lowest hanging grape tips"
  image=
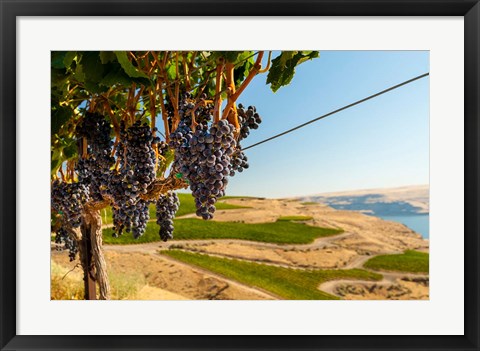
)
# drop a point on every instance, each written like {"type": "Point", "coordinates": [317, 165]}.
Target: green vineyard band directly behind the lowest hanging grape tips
{"type": "Point", "coordinates": [196, 229]}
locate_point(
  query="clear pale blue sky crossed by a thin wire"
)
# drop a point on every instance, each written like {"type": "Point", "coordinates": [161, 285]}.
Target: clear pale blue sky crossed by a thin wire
{"type": "Point", "coordinates": [383, 142]}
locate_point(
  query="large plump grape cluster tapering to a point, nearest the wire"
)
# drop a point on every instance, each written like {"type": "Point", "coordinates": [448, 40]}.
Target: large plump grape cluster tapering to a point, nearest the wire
{"type": "Point", "coordinates": [203, 158]}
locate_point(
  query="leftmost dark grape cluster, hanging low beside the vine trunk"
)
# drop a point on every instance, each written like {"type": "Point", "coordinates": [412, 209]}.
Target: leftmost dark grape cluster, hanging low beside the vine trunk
{"type": "Point", "coordinates": [68, 199]}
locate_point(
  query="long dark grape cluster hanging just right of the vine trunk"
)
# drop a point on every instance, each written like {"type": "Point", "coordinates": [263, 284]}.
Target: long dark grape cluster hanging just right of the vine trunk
{"type": "Point", "coordinates": [137, 160]}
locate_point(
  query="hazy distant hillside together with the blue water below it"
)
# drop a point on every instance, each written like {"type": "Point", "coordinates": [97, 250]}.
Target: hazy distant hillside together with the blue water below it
{"type": "Point", "coordinates": [405, 200]}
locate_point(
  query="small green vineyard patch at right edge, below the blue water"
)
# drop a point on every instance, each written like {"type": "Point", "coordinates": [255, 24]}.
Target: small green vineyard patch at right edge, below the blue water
{"type": "Point", "coordinates": [409, 261]}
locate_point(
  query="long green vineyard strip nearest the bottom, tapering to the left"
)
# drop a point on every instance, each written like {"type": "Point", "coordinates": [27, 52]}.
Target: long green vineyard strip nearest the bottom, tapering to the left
{"type": "Point", "coordinates": [288, 283]}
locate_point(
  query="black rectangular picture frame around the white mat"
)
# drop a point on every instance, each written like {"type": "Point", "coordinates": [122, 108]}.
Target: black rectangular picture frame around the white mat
{"type": "Point", "coordinates": [9, 10]}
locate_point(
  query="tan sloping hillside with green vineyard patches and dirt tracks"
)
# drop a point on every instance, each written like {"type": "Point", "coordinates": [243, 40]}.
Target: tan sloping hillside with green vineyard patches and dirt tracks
{"type": "Point", "coordinates": [303, 252]}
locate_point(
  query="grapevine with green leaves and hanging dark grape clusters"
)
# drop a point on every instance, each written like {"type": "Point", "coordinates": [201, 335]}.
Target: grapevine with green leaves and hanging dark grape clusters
{"type": "Point", "coordinates": [109, 152]}
